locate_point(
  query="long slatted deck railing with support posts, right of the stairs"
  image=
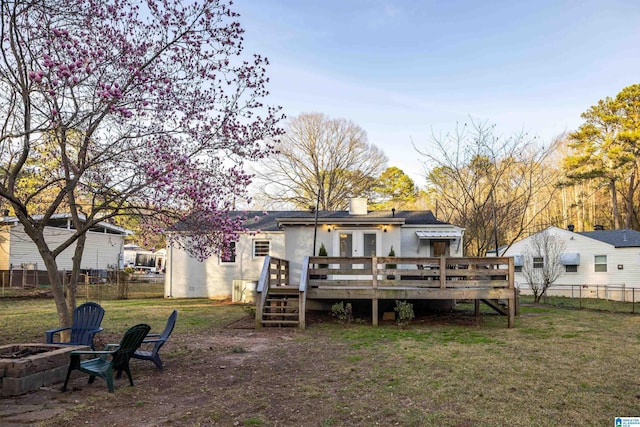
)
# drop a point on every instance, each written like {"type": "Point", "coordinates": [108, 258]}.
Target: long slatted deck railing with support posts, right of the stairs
{"type": "Point", "coordinates": [378, 278]}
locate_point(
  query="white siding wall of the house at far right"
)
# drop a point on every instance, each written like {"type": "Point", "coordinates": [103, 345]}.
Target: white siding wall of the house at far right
{"type": "Point", "coordinates": [628, 258]}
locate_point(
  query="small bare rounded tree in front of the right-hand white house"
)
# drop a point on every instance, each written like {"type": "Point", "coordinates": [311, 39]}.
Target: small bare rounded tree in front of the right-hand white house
{"type": "Point", "coordinates": [542, 264]}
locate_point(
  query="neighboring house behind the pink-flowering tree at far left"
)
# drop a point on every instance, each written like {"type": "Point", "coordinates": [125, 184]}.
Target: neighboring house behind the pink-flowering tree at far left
{"type": "Point", "coordinates": [103, 246]}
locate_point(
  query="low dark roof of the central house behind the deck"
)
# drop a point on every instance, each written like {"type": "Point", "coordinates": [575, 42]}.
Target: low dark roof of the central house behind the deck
{"type": "Point", "coordinates": [274, 220]}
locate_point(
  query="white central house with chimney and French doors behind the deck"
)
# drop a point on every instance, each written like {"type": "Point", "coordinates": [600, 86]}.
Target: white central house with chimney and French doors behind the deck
{"type": "Point", "coordinates": [290, 235]}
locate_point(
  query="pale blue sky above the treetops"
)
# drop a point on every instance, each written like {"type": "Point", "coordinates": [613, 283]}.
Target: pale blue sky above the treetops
{"type": "Point", "coordinates": [410, 71]}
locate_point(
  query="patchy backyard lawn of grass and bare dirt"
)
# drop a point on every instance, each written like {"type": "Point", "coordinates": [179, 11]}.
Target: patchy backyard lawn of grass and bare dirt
{"type": "Point", "coordinates": [557, 367]}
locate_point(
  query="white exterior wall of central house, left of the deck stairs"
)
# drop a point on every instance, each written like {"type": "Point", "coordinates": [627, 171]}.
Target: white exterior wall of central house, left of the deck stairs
{"type": "Point", "coordinates": [186, 277]}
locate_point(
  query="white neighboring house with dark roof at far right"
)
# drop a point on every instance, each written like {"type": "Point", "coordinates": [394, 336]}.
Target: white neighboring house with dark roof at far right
{"type": "Point", "coordinates": [600, 257]}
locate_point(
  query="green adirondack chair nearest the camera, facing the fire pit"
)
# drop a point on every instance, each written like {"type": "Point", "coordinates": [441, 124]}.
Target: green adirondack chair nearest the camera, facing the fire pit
{"type": "Point", "coordinates": [113, 357]}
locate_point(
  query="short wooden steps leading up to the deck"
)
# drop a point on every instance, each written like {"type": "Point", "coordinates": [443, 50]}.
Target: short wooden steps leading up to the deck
{"type": "Point", "coordinates": [281, 307]}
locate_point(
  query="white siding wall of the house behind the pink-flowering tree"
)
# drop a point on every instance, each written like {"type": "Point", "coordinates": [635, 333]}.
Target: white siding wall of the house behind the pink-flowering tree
{"type": "Point", "coordinates": [101, 249]}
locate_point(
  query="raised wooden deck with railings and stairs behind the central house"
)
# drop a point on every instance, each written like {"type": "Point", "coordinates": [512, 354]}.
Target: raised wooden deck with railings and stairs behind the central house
{"type": "Point", "coordinates": [488, 280]}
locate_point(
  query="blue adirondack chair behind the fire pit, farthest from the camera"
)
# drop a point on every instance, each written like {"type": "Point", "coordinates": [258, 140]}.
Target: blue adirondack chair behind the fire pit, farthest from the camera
{"type": "Point", "coordinates": [86, 322]}
